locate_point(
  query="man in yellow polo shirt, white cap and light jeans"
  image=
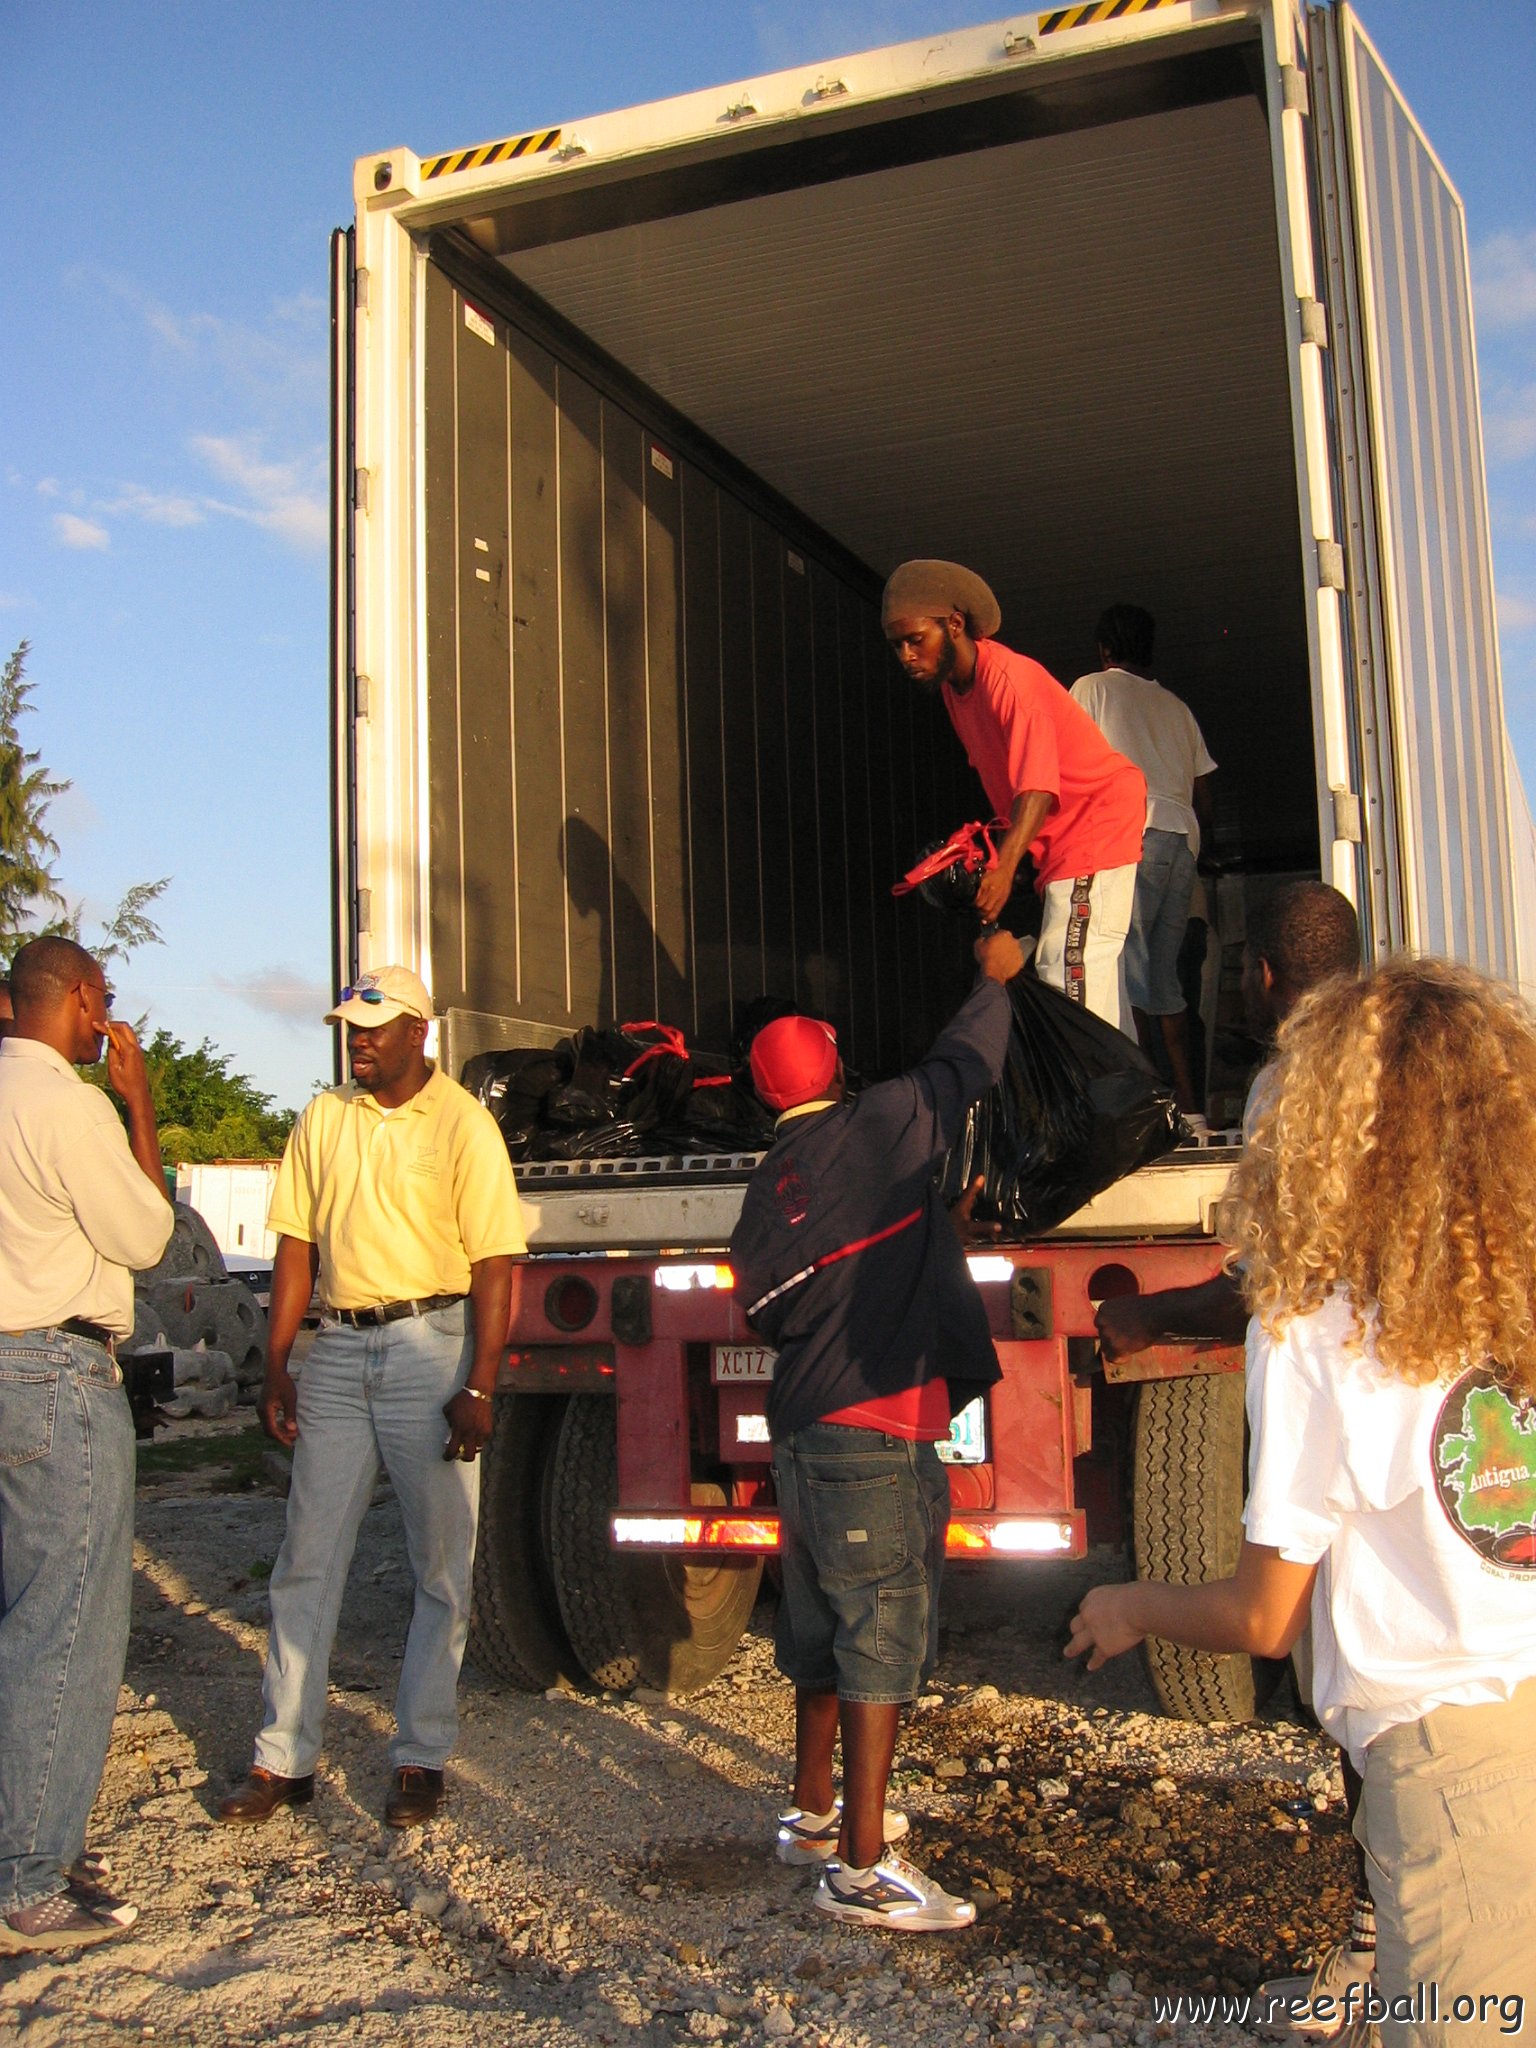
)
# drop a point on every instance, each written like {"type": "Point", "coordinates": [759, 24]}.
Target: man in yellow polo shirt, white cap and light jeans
{"type": "Point", "coordinates": [396, 1191]}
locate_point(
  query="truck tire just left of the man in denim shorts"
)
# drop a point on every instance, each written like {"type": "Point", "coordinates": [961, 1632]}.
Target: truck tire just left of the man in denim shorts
{"type": "Point", "coordinates": [654, 1621]}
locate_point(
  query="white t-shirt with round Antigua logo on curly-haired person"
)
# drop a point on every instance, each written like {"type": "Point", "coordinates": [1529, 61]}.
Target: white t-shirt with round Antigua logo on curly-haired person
{"type": "Point", "coordinates": [1420, 1502]}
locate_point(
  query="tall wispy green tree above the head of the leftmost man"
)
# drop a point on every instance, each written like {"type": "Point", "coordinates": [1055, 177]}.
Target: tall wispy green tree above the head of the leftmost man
{"type": "Point", "coordinates": [32, 900]}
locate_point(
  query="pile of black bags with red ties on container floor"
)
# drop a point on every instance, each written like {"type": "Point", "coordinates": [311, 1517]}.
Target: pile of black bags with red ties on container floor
{"type": "Point", "coordinates": [632, 1091]}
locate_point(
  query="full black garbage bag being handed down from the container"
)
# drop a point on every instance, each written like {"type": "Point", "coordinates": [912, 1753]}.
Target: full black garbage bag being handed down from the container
{"type": "Point", "coordinates": [1076, 1111]}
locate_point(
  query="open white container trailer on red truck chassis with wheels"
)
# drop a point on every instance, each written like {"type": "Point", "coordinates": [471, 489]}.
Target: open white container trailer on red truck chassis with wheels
{"type": "Point", "coordinates": [1125, 300]}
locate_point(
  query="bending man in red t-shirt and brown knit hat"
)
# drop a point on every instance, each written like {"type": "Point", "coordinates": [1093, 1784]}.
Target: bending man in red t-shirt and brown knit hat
{"type": "Point", "coordinates": [1070, 802]}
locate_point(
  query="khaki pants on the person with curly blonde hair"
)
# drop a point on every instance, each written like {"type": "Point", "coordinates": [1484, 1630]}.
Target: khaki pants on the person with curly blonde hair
{"type": "Point", "coordinates": [1449, 1828]}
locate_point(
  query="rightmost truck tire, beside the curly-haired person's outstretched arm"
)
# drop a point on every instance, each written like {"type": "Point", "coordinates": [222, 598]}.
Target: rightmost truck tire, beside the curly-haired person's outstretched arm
{"type": "Point", "coordinates": [1187, 1527]}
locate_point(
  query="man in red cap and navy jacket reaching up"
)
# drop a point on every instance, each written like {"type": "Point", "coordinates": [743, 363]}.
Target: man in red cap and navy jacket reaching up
{"type": "Point", "coordinates": [849, 1265]}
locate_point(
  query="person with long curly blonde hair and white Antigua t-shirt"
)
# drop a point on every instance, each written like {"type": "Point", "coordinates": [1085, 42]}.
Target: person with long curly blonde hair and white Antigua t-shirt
{"type": "Point", "coordinates": [1385, 1230]}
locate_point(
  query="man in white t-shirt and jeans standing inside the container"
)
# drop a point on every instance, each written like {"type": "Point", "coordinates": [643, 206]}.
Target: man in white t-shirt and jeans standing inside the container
{"type": "Point", "coordinates": [1156, 730]}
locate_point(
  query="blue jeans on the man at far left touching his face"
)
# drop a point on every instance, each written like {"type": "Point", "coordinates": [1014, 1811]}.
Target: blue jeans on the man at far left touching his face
{"type": "Point", "coordinates": [67, 1588]}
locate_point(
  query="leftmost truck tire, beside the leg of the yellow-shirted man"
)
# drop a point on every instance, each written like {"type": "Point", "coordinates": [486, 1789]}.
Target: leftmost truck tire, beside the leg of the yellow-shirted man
{"type": "Point", "coordinates": [515, 1627]}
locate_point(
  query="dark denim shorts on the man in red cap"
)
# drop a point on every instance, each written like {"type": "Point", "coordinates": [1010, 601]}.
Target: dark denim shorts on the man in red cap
{"type": "Point", "coordinates": [863, 1523]}
